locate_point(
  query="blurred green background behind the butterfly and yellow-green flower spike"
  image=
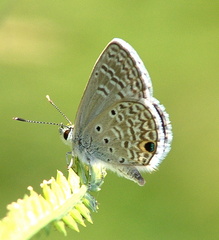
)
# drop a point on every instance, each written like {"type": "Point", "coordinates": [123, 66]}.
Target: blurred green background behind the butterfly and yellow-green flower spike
{"type": "Point", "coordinates": [50, 47]}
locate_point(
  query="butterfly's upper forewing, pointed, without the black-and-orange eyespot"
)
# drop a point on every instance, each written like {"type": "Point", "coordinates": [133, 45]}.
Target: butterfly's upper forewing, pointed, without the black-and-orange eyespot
{"type": "Point", "coordinates": [118, 73]}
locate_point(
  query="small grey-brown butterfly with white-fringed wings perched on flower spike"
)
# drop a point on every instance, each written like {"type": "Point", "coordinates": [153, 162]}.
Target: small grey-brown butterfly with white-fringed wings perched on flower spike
{"type": "Point", "coordinates": [119, 124]}
